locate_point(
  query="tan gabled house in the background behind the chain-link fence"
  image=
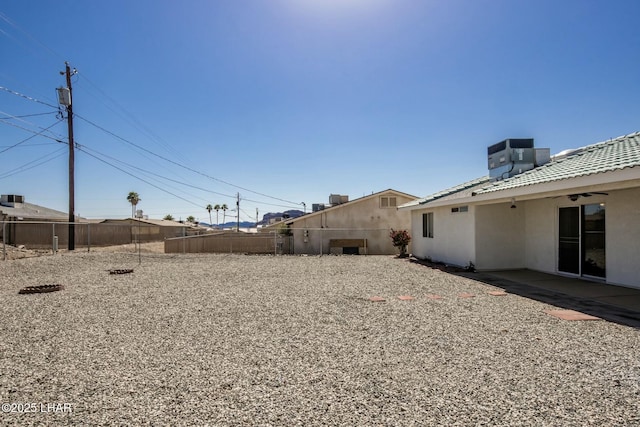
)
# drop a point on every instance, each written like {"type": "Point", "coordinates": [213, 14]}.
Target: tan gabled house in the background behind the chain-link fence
{"type": "Point", "coordinates": [360, 226]}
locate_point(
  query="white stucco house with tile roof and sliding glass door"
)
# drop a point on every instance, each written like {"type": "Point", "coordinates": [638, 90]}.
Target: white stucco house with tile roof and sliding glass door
{"type": "Point", "coordinates": [577, 215]}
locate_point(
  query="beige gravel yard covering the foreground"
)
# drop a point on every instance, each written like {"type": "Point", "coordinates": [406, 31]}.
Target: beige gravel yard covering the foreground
{"type": "Point", "coordinates": [291, 340]}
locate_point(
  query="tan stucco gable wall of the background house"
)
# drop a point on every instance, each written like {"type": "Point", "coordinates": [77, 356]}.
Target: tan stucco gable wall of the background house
{"type": "Point", "coordinates": [363, 219]}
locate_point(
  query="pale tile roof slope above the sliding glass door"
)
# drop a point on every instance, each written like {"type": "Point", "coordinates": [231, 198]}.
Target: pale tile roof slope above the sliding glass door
{"type": "Point", "coordinates": [619, 153]}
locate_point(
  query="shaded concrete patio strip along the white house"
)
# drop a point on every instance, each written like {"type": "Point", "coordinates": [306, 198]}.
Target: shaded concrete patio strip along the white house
{"type": "Point", "coordinates": [614, 303]}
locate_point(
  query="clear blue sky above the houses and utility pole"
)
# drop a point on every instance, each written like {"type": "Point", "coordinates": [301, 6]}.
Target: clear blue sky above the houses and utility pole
{"type": "Point", "coordinates": [288, 101]}
